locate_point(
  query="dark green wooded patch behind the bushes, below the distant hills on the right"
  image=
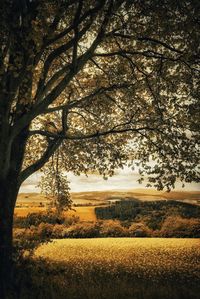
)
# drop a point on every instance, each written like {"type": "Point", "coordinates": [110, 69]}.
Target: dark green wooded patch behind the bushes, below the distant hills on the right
{"type": "Point", "coordinates": [153, 213]}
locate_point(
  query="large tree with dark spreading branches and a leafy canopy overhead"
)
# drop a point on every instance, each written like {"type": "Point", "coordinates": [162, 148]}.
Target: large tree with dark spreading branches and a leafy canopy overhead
{"type": "Point", "coordinates": [105, 82]}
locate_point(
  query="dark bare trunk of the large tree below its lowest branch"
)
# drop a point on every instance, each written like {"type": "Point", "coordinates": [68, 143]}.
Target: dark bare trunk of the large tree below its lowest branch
{"type": "Point", "coordinates": [8, 195]}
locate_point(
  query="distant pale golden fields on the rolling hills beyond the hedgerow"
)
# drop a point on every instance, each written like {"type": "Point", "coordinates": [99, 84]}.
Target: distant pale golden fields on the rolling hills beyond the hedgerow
{"type": "Point", "coordinates": [85, 202]}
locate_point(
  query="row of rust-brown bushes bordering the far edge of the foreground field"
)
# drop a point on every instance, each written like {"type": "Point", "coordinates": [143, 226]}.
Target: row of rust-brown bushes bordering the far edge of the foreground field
{"type": "Point", "coordinates": [37, 228]}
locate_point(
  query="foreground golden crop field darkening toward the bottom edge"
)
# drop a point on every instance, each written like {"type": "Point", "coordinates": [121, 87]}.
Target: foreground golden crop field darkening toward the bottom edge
{"type": "Point", "coordinates": [124, 268]}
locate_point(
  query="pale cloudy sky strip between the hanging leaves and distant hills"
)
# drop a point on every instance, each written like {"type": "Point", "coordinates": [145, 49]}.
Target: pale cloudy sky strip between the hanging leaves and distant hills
{"type": "Point", "coordinates": [125, 179]}
